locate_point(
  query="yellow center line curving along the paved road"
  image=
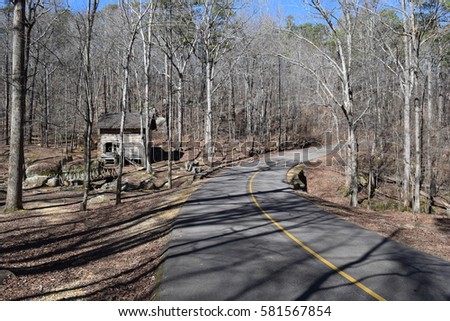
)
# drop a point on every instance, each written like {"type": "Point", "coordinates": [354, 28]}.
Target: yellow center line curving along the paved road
{"type": "Point", "coordinates": [311, 251]}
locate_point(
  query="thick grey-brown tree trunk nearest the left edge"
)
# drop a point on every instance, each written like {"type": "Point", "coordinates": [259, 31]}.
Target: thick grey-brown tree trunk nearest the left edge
{"type": "Point", "coordinates": [18, 77]}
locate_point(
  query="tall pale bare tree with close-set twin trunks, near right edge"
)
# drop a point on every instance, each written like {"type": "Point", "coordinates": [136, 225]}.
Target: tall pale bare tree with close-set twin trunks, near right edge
{"type": "Point", "coordinates": [414, 33]}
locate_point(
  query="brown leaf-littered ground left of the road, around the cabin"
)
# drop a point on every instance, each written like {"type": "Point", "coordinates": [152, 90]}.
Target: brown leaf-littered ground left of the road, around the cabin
{"type": "Point", "coordinates": [57, 252]}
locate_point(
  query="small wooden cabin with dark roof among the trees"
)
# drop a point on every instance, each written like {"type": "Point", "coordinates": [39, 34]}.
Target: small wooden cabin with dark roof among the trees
{"type": "Point", "coordinates": [108, 126]}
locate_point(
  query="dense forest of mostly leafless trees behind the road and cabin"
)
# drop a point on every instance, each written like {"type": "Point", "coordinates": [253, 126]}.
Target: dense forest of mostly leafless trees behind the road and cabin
{"type": "Point", "coordinates": [373, 75]}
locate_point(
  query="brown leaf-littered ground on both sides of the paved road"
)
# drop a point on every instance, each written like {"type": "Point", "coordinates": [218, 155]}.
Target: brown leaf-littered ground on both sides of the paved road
{"type": "Point", "coordinates": [112, 253]}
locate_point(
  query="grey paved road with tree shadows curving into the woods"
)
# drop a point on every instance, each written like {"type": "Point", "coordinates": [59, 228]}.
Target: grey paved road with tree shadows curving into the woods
{"type": "Point", "coordinates": [245, 235]}
